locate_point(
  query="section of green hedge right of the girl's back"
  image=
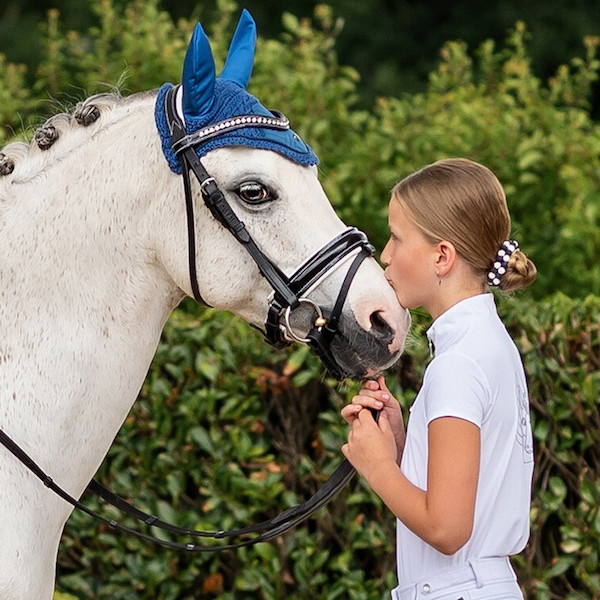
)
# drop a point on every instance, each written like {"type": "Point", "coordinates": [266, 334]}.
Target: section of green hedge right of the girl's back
{"type": "Point", "coordinates": [560, 342]}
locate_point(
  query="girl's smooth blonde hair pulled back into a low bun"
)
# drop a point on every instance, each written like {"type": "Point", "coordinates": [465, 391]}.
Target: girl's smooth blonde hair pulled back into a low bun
{"type": "Point", "coordinates": [463, 202]}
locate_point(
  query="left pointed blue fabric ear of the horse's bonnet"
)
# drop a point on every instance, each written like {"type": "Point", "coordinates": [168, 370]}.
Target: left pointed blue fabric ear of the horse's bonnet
{"type": "Point", "coordinates": [198, 75]}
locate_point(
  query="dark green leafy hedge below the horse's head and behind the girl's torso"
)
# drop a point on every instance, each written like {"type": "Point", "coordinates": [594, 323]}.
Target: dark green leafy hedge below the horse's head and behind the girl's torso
{"type": "Point", "coordinates": [228, 431]}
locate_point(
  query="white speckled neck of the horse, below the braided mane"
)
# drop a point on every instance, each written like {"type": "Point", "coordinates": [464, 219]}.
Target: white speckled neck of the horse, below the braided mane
{"type": "Point", "coordinates": [83, 299]}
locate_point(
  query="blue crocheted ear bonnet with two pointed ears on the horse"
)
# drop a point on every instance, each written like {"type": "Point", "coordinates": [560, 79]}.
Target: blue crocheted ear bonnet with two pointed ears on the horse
{"type": "Point", "coordinates": [208, 100]}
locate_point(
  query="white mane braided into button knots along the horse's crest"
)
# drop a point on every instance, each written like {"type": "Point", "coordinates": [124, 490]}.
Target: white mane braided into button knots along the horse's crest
{"type": "Point", "coordinates": [66, 131]}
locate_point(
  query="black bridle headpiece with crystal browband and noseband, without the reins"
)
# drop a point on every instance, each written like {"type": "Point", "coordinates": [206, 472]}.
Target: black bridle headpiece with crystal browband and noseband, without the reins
{"type": "Point", "coordinates": [289, 293]}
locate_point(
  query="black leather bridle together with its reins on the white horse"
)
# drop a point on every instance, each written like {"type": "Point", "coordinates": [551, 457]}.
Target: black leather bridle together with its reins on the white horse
{"type": "Point", "coordinates": [288, 295]}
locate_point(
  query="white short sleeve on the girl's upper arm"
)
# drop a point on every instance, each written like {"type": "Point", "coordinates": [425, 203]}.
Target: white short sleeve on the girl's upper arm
{"type": "Point", "coordinates": [455, 386]}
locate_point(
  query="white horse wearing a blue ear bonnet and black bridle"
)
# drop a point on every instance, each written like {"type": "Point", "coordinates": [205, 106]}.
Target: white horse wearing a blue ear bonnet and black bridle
{"type": "Point", "coordinates": [93, 259]}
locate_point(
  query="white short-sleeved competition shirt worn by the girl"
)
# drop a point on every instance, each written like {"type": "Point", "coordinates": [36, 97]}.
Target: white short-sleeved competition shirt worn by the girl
{"type": "Point", "coordinates": [476, 375]}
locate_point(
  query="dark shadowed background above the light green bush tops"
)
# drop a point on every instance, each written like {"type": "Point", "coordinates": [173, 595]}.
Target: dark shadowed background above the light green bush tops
{"type": "Point", "coordinates": [393, 44]}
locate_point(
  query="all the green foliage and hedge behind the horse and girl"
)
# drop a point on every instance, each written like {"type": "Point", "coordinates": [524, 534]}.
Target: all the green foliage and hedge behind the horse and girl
{"type": "Point", "coordinates": [228, 431]}
